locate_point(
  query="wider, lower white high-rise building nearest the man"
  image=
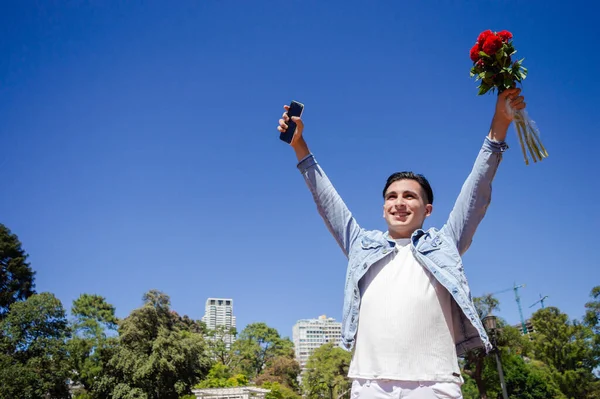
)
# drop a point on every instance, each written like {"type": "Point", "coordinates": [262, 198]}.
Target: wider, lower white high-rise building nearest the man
{"type": "Point", "coordinates": [309, 334]}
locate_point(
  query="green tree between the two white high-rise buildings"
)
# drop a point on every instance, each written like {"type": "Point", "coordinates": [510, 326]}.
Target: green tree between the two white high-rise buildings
{"type": "Point", "coordinates": [257, 346]}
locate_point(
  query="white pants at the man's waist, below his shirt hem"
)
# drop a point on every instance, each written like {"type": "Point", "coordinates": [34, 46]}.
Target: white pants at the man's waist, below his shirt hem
{"type": "Point", "coordinates": [389, 389]}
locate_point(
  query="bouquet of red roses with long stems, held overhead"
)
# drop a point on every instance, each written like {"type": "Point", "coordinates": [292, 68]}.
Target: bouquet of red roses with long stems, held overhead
{"type": "Point", "coordinates": [493, 65]}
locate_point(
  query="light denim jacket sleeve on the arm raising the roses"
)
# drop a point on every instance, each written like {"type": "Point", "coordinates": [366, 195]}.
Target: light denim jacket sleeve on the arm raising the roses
{"type": "Point", "coordinates": [475, 196]}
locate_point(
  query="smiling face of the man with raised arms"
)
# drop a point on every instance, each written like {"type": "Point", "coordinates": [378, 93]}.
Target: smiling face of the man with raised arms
{"type": "Point", "coordinates": [404, 208]}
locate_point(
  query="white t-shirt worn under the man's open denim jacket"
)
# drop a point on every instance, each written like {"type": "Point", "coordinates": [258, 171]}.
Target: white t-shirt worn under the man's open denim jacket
{"type": "Point", "coordinates": [405, 329]}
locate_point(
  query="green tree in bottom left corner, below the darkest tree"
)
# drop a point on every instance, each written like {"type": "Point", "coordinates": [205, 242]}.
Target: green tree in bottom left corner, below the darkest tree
{"type": "Point", "coordinates": [33, 355]}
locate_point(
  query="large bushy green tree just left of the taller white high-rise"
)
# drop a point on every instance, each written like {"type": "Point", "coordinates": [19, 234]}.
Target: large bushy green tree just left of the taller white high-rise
{"type": "Point", "coordinates": [154, 358]}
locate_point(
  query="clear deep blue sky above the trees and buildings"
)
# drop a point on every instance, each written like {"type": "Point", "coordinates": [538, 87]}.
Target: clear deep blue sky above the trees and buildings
{"type": "Point", "coordinates": [140, 150]}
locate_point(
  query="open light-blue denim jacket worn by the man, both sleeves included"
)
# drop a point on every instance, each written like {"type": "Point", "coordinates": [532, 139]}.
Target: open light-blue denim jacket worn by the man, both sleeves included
{"type": "Point", "coordinates": [439, 251]}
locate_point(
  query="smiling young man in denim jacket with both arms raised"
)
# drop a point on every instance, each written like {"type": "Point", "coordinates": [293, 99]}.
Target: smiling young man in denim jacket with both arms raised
{"type": "Point", "coordinates": [408, 312]}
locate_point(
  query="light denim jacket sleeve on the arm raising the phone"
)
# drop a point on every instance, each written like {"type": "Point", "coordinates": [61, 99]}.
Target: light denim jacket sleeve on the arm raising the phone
{"type": "Point", "coordinates": [331, 207]}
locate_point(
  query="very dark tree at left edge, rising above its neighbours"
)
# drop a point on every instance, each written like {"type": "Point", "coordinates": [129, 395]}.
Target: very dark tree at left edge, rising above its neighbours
{"type": "Point", "coordinates": [16, 275]}
